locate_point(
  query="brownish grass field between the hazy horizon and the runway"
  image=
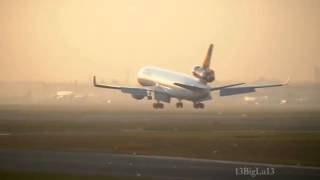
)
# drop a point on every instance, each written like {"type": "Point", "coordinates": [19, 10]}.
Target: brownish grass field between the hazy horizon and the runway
{"type": "Point", "coordinates": [268, 136]}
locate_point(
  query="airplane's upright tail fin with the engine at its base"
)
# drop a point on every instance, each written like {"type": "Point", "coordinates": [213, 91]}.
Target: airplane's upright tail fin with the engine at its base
{"type": "Point", "coordinates": [204, 73]}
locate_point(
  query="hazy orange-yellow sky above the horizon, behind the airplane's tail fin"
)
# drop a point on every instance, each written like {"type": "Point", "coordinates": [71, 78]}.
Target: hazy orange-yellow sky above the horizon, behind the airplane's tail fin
{"type": "Point", "coordinates": [66, 40]}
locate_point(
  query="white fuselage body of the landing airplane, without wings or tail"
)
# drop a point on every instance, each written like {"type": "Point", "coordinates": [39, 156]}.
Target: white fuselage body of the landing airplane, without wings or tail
{"type": "Point", "coordinates": [153, 76]}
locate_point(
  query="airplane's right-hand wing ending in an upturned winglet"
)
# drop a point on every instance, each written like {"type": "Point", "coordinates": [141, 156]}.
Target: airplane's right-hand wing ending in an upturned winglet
{"type": "Point", "coordinates": [247, 89]}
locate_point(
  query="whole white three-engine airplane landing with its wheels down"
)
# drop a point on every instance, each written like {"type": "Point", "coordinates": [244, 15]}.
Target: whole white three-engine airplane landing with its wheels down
{"type": "Point", "coordinates": [162, 85]}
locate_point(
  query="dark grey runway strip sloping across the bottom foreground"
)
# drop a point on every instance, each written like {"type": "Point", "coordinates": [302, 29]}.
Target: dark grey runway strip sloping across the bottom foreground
{"type": "Point", "coordinates": [155, 167]}
